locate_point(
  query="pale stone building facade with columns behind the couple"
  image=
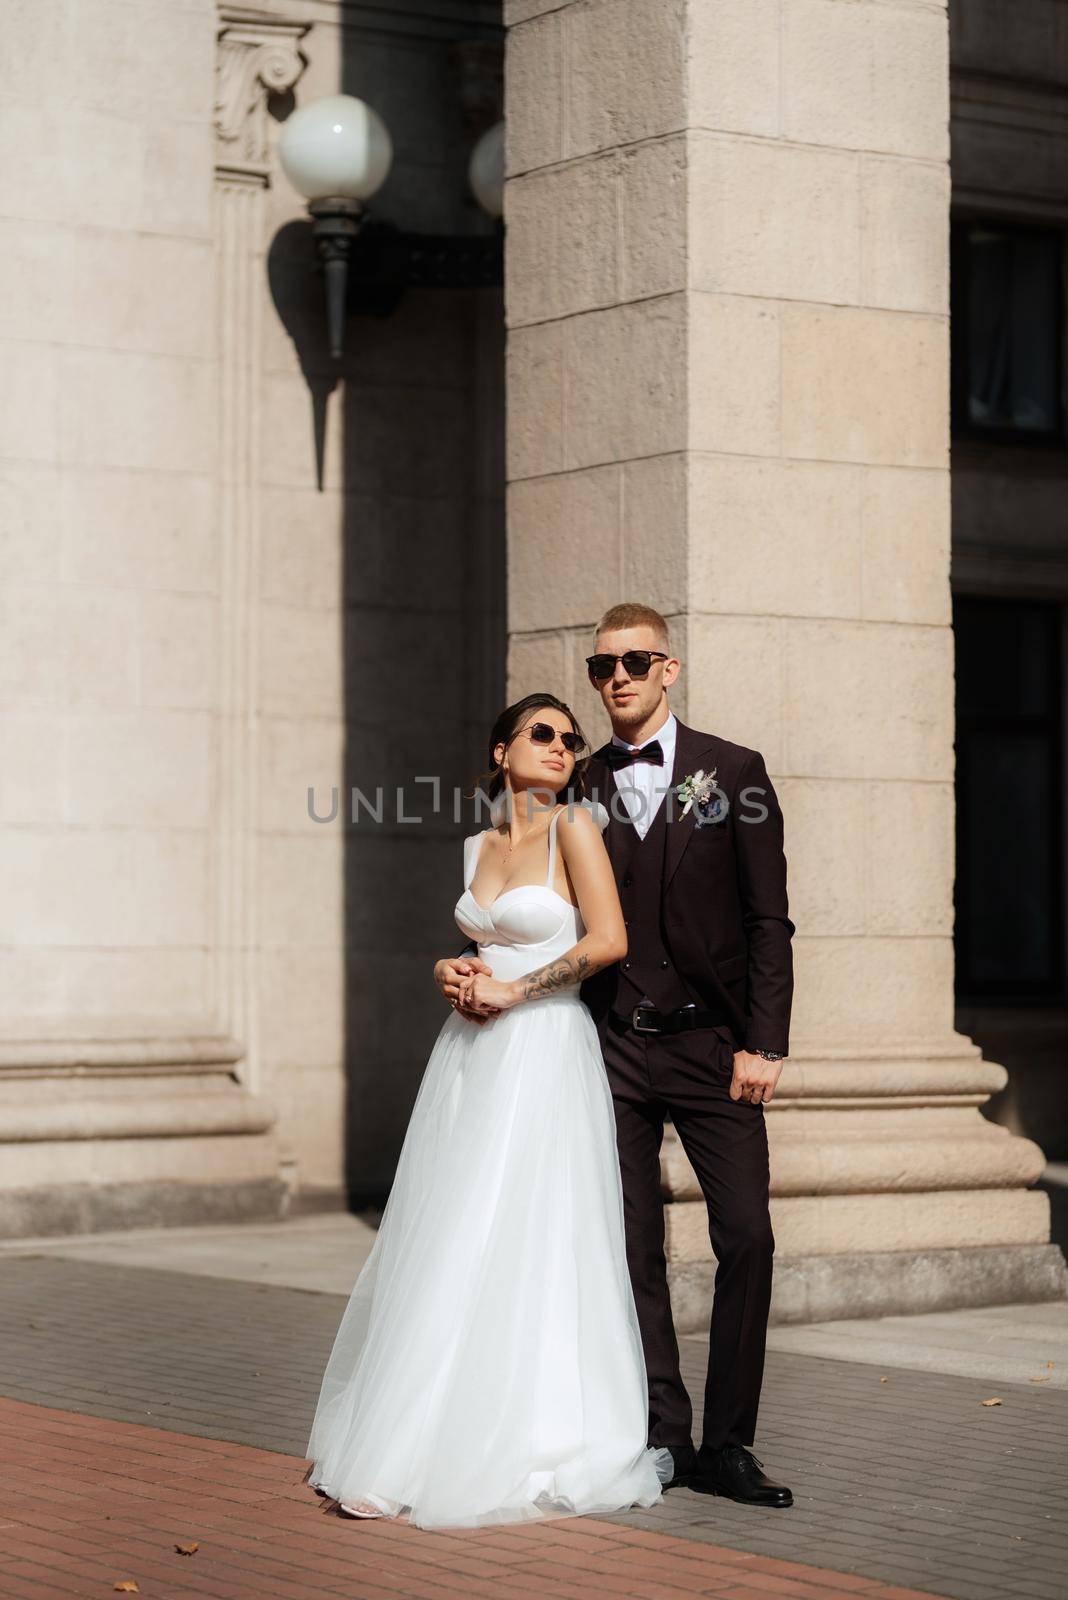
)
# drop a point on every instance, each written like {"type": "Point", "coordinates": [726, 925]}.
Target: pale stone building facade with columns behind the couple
{"type": "Point", "coordinates": [717, 380]}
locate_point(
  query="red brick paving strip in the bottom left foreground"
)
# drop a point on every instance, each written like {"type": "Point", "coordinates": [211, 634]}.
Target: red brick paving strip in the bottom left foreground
{"type": "Point", "coordinates": [92, 1505]}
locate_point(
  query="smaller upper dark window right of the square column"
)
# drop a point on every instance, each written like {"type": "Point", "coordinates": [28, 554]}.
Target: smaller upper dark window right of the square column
{"type": "Point", "coordinates": [1006, 330]}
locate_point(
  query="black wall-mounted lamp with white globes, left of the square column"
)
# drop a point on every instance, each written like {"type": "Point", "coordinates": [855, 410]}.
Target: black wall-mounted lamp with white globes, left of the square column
{"type": "Point", "coordinates": [337, 153]}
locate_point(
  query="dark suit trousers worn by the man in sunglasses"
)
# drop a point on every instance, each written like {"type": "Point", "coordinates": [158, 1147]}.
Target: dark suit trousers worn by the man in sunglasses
{"type": "Point", "coordinates": [687, 1078]}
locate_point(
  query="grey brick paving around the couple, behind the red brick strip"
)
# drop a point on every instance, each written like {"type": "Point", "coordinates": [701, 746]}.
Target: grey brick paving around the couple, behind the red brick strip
{"type": "Point", "coordinates": [912, 1484]}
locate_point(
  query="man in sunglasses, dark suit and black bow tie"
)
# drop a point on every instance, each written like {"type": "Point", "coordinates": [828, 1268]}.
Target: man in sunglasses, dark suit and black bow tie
{"type": "Point", "coordinates": [695, 1026]}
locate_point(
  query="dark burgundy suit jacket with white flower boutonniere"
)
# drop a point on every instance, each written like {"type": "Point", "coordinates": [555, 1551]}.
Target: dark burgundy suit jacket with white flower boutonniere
{"type": "Point", "coordinates": [723, 897]}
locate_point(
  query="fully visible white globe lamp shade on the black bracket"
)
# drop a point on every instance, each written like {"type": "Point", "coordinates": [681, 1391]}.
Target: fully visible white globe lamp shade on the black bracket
{"type": "Point", "coordinates": [337, 148]}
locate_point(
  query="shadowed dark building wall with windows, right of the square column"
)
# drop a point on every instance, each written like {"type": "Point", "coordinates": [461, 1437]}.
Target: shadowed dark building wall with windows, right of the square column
{"type": "Point", "coordinates": [1010, 71]}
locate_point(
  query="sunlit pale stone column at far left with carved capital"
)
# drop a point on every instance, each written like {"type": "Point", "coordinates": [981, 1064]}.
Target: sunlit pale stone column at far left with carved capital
{"type": "Point", "coordinates": [129, 1065]}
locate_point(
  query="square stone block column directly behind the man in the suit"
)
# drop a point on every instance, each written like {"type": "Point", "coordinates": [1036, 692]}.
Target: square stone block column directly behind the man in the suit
{"type": "Point", "coordinates": [728, 396]}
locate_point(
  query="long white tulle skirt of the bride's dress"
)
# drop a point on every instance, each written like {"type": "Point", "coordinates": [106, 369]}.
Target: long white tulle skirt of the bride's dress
{"type": "Point", "coordinates": [488, 1367]}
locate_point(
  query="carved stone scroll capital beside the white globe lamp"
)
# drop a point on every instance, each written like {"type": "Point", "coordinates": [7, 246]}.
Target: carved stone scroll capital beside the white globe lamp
{"type": "Point", "coordinates": [258, 55]}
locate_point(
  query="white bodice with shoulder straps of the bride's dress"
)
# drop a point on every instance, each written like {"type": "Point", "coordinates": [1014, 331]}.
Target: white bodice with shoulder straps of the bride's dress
{"type": "Point", "coordinates": [527, 926]}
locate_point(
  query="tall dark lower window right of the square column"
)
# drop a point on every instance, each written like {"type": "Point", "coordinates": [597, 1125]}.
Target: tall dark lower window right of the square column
{"type": "Point", "coordinates": [1010, 894]}
